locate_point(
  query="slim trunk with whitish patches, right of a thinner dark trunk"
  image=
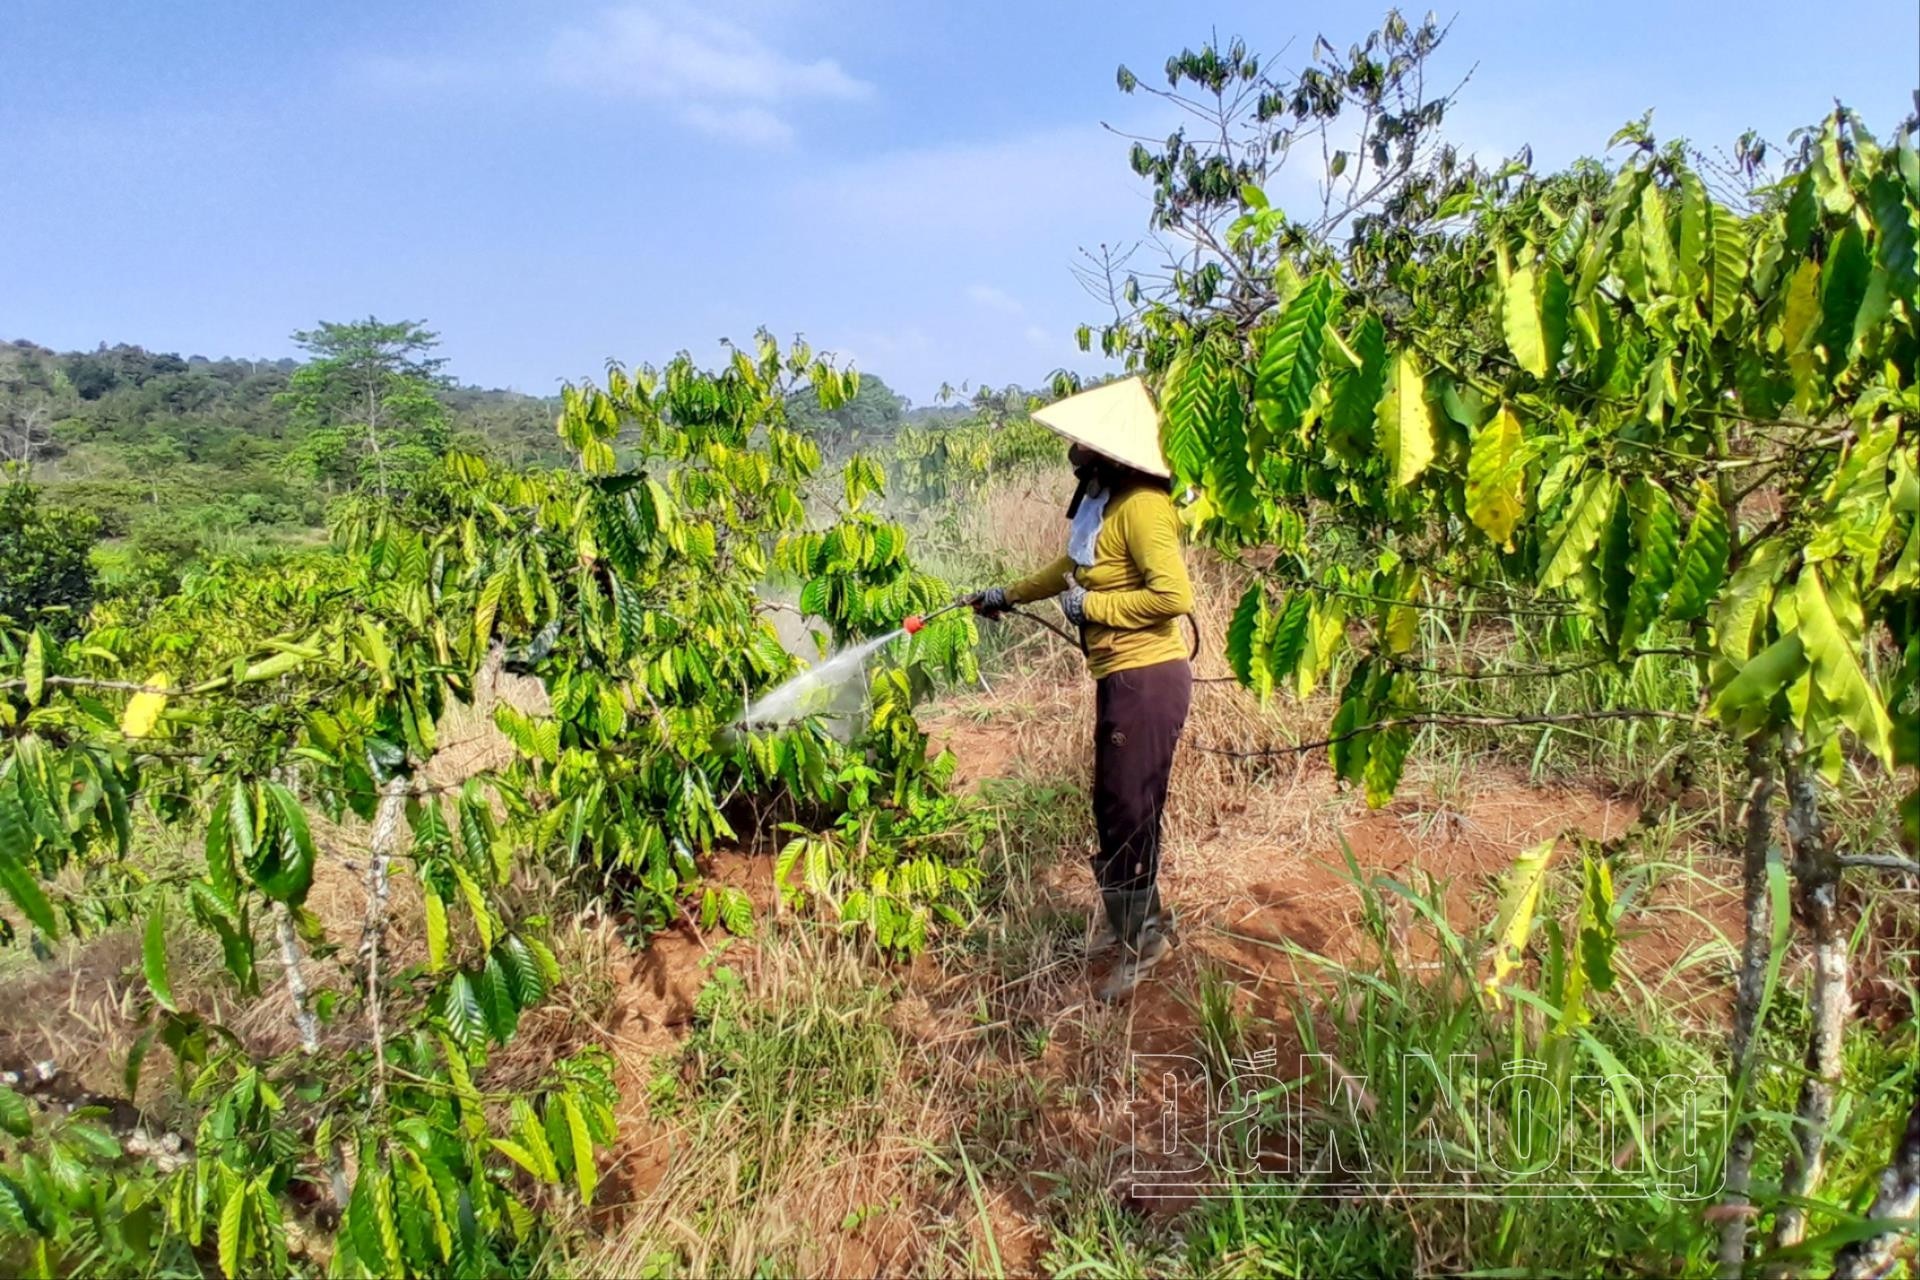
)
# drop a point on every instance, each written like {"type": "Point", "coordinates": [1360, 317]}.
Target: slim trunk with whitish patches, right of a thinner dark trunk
{"type": "Point", "coordinates": [1817, 878]}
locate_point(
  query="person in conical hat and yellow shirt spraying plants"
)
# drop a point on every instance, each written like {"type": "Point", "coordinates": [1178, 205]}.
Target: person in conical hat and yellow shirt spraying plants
{"type": "Point", "coordinates": [1124, 584]}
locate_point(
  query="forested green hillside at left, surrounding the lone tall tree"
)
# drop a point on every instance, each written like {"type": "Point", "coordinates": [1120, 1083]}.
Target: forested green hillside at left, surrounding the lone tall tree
{"type": "Point", "coordinates": [181, 456]}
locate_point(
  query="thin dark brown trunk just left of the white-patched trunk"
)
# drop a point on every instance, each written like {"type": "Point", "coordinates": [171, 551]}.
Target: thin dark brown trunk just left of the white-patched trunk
{"type": "Point", "coordinates": [1752, 984]}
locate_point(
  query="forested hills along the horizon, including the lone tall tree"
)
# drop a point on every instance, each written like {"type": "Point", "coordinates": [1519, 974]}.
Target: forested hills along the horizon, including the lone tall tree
{"type": "Point", "coordinates": [181, 458]}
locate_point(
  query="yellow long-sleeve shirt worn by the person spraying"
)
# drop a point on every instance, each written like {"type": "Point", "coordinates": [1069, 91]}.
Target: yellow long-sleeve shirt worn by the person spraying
{"type": "Point", "coordinates": [1138, 586]}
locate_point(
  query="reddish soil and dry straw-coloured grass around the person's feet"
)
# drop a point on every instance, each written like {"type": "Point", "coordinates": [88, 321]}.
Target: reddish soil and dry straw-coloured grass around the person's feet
{"type": "Point", "coordinates": [1005, 1053]}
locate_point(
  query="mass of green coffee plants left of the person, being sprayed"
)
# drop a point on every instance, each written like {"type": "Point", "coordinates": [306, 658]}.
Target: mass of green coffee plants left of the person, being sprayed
{"type": "Point", "coordinates": [287, 715]}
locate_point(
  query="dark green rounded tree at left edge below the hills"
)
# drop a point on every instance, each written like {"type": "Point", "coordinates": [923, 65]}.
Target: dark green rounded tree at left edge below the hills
{"type": "Point", "coordinates": [47, 577]}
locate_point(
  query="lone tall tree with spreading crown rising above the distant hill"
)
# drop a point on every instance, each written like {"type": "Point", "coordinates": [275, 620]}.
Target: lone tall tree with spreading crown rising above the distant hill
{"type": "Point", "coordinates": [379, 379]}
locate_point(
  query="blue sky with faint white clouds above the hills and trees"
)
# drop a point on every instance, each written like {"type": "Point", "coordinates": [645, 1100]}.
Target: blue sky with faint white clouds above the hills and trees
{"type": "Point", "coordinates": [552, 185]}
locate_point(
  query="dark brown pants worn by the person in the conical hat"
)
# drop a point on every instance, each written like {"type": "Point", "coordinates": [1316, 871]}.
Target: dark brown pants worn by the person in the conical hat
{"type": "Point", "coordinates": [1138, 723]}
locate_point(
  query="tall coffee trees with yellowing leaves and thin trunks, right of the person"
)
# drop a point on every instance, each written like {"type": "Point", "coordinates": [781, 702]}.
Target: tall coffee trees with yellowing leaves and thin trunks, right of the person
{"type": "Point", "coordinates": [1652, 410]}
